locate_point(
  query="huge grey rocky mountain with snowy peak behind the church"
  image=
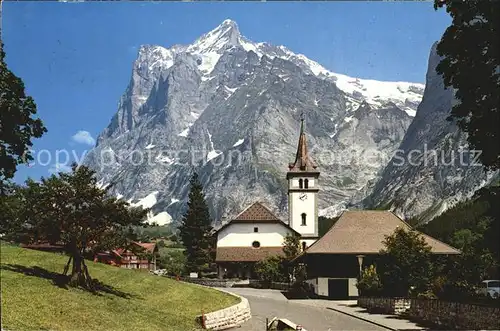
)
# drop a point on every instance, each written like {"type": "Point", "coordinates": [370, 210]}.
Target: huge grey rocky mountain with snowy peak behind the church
{"type": "Point", "coordinates": [229, 108]}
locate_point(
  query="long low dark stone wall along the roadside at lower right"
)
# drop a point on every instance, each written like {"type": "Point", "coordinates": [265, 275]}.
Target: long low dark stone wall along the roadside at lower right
{"type": "Point", "coordinates": [445, 314]}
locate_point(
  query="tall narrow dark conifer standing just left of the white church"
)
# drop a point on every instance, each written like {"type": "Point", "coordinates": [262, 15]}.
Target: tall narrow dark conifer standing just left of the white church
{"type": "Point", "coordinates": [196, 229]}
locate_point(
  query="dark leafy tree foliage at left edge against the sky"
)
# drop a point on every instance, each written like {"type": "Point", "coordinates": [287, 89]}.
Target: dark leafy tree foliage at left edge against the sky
{"type": "Point", "coordinates": [17, 125]}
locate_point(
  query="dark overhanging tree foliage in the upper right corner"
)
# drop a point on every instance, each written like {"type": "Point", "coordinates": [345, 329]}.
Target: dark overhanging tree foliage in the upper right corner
{"type": "Point", "coordinates": [471, 65]}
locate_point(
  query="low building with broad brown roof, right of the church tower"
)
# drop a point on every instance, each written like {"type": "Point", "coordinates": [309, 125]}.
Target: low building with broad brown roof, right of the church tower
{"type": "Point", "coordinates": [335, 261]}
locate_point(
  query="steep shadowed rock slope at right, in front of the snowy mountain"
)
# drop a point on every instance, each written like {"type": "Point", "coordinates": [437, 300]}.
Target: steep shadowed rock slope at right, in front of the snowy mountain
{"type": "Point", "coordinates": [433, 169]}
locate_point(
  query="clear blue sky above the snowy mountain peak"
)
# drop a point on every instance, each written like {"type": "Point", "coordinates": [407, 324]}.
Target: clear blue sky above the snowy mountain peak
{"type": "Point", "coordinates": [76, 58]}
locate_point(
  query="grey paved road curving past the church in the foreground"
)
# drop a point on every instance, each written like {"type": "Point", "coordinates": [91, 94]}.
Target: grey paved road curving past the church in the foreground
{"type": "Point", "coordinates": [269, 303]}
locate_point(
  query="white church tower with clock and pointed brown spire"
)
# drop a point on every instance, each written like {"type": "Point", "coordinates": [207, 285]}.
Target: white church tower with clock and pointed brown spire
{"type": "Point", "coordinates": [303, 190]}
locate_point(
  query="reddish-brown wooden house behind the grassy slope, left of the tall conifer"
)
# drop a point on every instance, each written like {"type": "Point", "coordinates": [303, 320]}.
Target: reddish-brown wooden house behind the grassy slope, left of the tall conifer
{"type": "Point", "coordinates": [131, 259]}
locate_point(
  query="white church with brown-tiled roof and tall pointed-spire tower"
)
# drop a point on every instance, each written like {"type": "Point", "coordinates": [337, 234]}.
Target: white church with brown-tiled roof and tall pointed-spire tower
{"type": "Point", "coordinates": [257, 233]}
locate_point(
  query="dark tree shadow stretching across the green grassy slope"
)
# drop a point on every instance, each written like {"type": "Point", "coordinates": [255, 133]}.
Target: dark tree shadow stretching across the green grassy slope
{"type": "Point", "coordinates": [62, 281]}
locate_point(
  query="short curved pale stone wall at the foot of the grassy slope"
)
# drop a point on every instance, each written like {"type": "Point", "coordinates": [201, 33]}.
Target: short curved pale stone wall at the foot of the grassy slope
{"type": "Point", "coordinates": [227, 318]}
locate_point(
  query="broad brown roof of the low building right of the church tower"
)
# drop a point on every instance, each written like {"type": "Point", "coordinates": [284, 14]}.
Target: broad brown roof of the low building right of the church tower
{"type": "Point", "coordinates": [363, 232]}
